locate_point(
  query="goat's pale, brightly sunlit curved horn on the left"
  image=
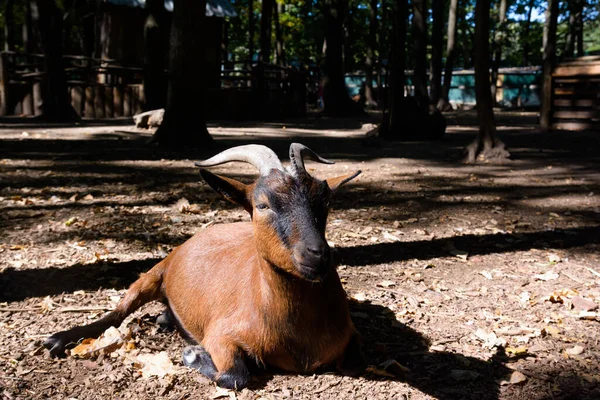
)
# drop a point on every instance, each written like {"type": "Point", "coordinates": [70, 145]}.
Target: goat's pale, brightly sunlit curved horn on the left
{"type": "Point", "coordinates": [263, 158]}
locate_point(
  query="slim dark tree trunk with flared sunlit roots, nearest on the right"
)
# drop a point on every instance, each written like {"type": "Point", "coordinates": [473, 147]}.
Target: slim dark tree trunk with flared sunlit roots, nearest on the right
{"type": "Point", "coordinates": [486, 145]}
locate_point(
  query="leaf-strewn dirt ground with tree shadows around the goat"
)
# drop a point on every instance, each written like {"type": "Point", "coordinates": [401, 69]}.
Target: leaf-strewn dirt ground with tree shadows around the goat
{"type": "Point", "coordinates": [468, 282]}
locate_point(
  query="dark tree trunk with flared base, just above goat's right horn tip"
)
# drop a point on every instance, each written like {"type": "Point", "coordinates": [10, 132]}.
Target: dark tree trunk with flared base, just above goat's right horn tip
{"type": "Point", "coordinates": [336, 100]}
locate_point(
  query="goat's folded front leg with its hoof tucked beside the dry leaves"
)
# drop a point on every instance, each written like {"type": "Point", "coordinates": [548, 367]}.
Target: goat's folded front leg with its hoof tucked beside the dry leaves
{"type": "Point", "coordinates": [224, 363]}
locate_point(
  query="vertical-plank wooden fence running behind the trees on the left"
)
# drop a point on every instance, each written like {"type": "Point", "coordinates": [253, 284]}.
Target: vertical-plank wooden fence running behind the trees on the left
{"type": "Point", "coordinates": [101, 89]}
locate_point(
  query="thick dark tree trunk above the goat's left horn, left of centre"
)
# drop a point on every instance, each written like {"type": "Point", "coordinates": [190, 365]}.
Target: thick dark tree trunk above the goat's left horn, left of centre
{"type": "Point", "coordinates": [184, 124]}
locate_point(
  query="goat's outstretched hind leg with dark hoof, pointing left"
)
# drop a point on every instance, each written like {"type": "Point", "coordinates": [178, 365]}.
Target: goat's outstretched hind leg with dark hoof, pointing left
{"type": "Point", "coordinates": [142, 291]}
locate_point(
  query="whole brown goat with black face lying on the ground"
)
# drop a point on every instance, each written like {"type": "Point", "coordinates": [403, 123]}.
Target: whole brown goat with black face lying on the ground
{"type": "Point", "coordinates": [264, 291]}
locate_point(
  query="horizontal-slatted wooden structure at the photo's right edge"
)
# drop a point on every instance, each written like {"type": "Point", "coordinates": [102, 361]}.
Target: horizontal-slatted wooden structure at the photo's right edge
{"type": "Point", "coordinates": [576, 94]}
